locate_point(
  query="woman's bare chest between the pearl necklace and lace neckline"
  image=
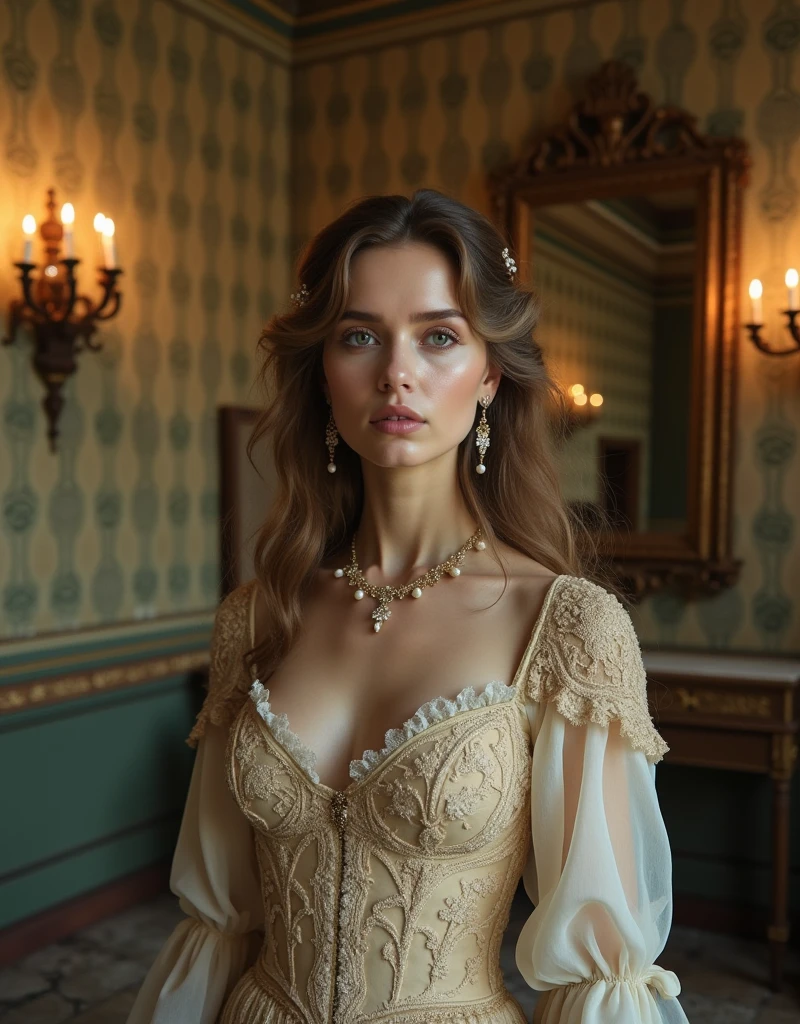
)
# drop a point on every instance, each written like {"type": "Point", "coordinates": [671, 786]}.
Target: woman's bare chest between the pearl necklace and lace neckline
{"type": "Point", "coordinates": [343, 687]}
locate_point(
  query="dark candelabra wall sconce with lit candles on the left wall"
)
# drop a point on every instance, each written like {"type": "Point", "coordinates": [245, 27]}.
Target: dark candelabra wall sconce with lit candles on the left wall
{"type": "Point", "coordinates": [63, 322]}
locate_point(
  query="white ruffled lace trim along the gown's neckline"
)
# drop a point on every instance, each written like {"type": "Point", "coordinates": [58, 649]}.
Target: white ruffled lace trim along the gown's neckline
{"type": "Point", "coordinates": [429, 714]}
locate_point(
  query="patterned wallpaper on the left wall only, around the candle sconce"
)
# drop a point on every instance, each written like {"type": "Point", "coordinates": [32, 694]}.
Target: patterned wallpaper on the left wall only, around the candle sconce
{"type": "Point", "coordinates": [177, 129]}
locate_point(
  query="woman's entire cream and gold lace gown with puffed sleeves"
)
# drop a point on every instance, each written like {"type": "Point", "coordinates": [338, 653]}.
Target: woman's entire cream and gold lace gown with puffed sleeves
{"type": "Point", "coordinates": [388, 902]}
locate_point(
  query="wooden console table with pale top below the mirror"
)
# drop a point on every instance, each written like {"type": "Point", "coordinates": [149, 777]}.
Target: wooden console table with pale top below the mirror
{"type": "Point", "coordinates": [741, 713]}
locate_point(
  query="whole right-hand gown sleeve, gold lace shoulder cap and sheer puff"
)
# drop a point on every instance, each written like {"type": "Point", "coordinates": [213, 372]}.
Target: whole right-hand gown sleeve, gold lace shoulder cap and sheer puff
{"type": "Point", "coordinates": [600, 873]}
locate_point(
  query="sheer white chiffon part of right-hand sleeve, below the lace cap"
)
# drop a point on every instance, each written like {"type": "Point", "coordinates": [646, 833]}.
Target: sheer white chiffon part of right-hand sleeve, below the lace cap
{"type": "Point", "coordinates": [600, 875]}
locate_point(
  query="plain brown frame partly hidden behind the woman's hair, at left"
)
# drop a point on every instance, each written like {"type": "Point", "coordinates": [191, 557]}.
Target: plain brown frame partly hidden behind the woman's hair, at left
{"type": "Point", "coordinates": [246, 494]}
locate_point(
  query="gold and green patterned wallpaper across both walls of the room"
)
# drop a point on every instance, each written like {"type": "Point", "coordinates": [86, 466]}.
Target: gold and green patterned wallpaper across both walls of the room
{"type": "Point", "coordinates": [178, 132]}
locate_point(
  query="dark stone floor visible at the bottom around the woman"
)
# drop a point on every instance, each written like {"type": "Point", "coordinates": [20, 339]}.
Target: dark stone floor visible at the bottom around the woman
{"type": "Point", "coordinates": [93, 977]}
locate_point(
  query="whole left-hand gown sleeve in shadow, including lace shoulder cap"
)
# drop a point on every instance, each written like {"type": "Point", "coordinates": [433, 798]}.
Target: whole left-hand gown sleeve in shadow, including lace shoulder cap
{"type": "Point", "coordinates": [215, 869]}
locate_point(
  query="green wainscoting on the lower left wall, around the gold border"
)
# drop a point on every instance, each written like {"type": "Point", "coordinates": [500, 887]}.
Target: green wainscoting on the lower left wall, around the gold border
{"type": "Point", "coordinates": [94, 787]}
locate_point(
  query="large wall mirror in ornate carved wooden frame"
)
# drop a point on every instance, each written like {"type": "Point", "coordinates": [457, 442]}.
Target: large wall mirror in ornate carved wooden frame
{"type": "Point", "coordinates": [627, 223]}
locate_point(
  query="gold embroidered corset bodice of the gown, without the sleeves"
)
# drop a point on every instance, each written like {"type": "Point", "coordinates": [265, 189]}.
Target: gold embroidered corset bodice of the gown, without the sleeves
{"type": "Point", "coordinates": [387, 902]}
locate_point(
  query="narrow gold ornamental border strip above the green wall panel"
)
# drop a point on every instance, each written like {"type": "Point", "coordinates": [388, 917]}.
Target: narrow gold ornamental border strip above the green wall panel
{"type": "Point", "coordinates": [53, 692]}
